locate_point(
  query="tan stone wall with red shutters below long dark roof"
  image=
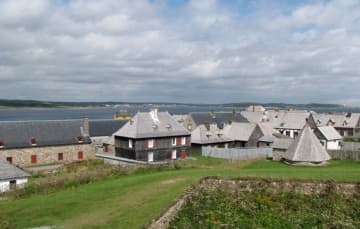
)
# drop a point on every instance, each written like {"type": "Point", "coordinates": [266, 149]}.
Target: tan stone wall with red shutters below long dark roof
{"type": "Point", "coordinates": [47, 155]}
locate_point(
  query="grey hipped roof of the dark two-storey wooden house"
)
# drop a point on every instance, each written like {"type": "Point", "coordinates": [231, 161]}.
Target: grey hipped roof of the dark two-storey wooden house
{"type": "Point", "coordinates": [151, 124]}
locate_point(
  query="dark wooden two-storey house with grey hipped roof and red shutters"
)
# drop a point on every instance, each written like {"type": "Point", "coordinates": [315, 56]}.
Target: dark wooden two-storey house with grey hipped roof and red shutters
{"type": "Point", "coordinates": [152, 136]}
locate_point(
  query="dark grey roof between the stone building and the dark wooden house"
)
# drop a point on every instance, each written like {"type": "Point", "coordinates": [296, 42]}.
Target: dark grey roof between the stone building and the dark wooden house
{"type": "Point", "coordinates": [104, 127]}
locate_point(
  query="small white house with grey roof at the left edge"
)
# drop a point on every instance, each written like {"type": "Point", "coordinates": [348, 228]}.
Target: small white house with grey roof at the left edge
{"type": "Point", "coordinates": [11, 176]}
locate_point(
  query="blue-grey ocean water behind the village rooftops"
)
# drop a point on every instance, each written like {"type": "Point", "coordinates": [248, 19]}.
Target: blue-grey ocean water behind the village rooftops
{"type": "Point", "coordinates": [108, 112]}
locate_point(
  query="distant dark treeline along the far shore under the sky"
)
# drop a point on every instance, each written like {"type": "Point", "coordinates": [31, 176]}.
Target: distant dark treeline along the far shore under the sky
{"type": "Point", "coordinates": [49, 104]}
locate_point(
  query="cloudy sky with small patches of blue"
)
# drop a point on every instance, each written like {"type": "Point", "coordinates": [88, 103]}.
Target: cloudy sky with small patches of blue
{"type": "Point", "coordinates": [190, 51]}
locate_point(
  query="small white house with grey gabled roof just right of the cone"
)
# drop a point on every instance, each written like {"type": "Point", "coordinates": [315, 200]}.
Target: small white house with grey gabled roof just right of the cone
{"type": "Point", "coordinates": [329, 137]}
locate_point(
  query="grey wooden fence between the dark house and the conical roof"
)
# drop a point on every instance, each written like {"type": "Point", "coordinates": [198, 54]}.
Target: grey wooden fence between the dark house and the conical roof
{"type": "Point", "coordinates": [236, 153]}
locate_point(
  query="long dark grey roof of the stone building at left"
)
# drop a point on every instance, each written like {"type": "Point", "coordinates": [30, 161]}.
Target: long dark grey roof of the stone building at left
{"type": "Point", "coordinates": [47, 133]}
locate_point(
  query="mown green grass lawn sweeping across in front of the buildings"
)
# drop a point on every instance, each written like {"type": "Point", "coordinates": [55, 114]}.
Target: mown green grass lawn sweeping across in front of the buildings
{"type": "Point", "coordinates": [132, 201]}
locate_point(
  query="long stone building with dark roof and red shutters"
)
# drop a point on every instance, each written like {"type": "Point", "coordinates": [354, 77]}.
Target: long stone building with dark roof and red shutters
{"type": "Point", "coordinates": [25, 143]}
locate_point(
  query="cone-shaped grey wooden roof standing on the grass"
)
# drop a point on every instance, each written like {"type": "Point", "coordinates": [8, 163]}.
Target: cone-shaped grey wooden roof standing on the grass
{"type": "Point", "coordinates": [306, 148]}
